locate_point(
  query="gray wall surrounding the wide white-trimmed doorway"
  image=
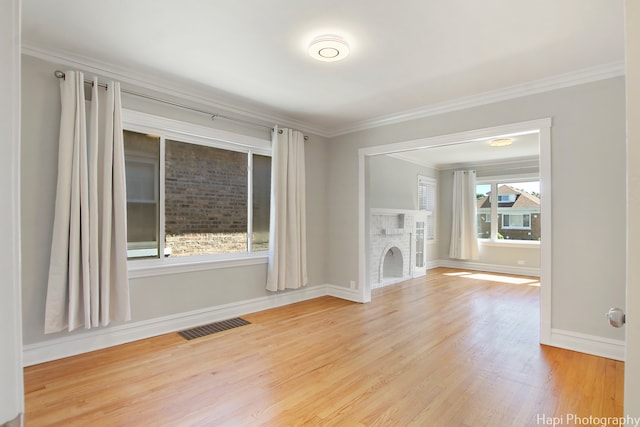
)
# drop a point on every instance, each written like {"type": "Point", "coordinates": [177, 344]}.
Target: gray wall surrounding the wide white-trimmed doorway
{"type": "Point", "coordinates": [588, 186]}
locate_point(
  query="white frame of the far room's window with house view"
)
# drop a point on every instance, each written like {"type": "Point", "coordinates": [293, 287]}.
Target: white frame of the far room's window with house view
{"type": "Point", "coordinates": [494, 181]}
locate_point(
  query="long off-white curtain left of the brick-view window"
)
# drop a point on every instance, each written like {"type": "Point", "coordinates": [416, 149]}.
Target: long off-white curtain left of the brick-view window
{"type": "Point", "coordinates": [88, 283]}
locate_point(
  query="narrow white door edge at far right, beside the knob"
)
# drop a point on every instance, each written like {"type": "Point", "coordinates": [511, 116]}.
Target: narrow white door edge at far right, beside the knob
{"type": "Point", "coordinates": [632, 359]}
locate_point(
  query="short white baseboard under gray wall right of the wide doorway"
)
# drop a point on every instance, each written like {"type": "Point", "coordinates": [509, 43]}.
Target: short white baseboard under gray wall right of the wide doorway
{"type": "Point", "coordinates": [590, 344]}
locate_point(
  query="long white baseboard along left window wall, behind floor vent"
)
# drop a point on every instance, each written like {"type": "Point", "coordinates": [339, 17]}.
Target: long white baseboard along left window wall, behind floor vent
{"type": "Point", "coordinates": [84, 342]}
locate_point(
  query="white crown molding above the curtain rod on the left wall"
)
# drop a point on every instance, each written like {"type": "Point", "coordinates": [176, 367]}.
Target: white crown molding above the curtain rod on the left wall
{"type": "Point", "coordinates": [244, 110]}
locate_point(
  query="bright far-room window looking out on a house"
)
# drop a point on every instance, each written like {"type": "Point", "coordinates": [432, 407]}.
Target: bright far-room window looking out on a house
{"type": "Point", "coordinates": [508, 211]}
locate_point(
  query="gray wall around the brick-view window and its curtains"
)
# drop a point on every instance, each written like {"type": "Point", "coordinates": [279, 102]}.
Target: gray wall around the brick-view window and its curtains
{"type": "Point", "coordinates": [151, 297]}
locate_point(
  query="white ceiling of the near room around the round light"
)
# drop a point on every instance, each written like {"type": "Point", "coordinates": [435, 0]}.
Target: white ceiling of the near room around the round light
{"type": "Point", "coordinates": [406, 55]}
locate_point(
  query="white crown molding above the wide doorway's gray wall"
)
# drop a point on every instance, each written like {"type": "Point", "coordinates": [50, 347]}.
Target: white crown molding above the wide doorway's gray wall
{"type": "Point", "coordinates": [587, 75]}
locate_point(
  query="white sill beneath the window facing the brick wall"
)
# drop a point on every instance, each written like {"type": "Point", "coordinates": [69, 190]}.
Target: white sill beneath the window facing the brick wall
{"type": "Point", "coordinates": [160, 267]}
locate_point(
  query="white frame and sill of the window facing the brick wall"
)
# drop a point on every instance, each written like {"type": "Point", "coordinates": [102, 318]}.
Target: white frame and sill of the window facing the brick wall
{"type": "Point", "coordinates": [169, 129]}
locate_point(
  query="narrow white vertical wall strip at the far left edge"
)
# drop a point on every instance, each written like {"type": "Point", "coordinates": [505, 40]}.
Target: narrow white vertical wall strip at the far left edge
{"type": "Point", "coordinates": [11, 390]}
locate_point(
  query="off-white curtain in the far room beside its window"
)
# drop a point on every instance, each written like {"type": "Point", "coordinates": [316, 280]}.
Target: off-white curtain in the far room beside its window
{"type": "Point", "coordinates": [464, 237]}
